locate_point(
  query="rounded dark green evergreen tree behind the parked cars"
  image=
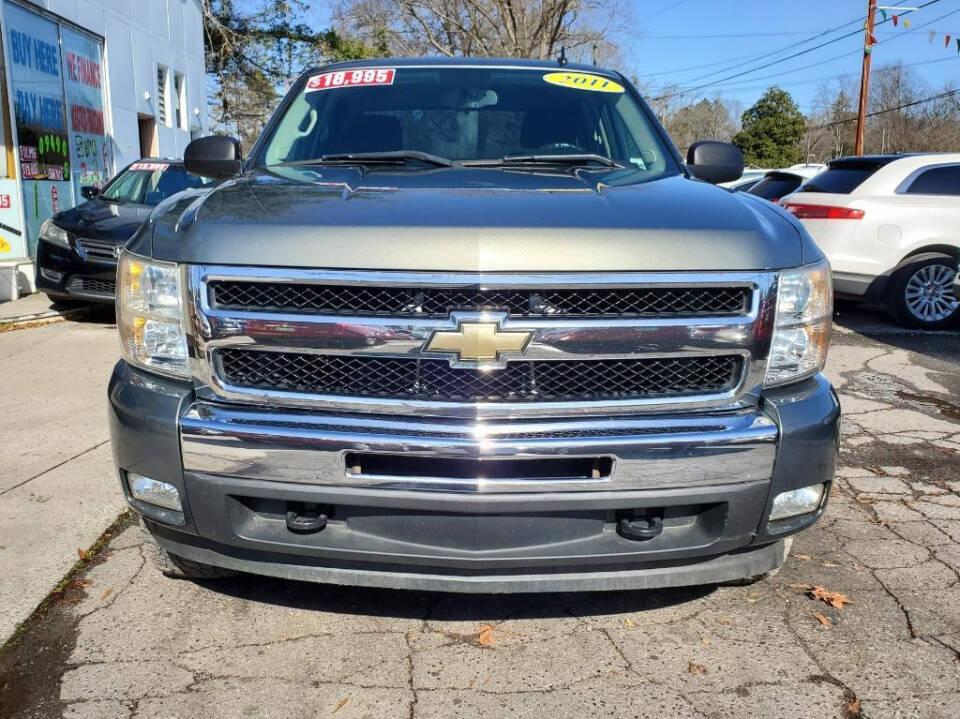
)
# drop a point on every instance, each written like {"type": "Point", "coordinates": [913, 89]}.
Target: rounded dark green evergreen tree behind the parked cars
{"type": "Point", "coordinates": [772, 131]}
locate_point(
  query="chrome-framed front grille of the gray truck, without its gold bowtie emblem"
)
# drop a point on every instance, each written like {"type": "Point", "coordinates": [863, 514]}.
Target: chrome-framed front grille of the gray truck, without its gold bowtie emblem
{"type": "Point", "coordinates": [599, 343]}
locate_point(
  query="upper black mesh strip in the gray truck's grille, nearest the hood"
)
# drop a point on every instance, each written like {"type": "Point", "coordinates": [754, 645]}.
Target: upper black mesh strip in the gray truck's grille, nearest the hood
{"type": "Point", "coordinates": [439, 302]}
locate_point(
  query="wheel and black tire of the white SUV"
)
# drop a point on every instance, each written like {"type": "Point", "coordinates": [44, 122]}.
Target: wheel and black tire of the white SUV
{"type": "Point", "coordinates": [906, 298]}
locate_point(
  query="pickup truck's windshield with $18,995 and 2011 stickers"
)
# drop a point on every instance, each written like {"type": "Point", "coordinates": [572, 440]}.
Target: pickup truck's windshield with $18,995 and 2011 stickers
{"type": "Point", "coordinates": [467, 115]}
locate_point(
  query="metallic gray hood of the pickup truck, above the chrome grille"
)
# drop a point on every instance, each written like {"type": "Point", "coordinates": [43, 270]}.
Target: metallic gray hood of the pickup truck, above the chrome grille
{"type": "Point", "coordinates": [475, 220]}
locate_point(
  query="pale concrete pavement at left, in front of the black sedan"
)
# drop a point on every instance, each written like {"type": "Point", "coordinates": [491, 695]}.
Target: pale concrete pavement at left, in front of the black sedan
{"type": "Point", "coordinates": [58, 491]}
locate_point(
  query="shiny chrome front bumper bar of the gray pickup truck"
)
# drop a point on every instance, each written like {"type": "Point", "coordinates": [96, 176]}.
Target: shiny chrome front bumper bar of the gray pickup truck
{"type": "Point", "coordinates": [652, 452]}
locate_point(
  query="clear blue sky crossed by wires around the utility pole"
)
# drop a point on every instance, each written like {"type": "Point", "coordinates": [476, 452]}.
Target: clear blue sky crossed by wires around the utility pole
{"type": "Point", "coordinates": [703, 42]}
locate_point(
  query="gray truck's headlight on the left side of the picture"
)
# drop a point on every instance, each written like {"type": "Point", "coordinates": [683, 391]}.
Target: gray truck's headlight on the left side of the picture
{"type": "Point", "coordinates": [149, 315]}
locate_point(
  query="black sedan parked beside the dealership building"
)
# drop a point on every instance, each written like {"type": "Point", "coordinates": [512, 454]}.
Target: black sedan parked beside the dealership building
{"type": "Point", "coordinates": [78, 248]}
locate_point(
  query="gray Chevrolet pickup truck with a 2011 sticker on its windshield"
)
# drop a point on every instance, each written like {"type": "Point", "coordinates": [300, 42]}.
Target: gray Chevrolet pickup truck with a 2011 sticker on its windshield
{"type": "Point", "coordinates": [472, 326]}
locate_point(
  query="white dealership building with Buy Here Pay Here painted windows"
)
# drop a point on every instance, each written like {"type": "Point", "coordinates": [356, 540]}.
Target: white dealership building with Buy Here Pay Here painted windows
{"type": "Point", "coordinates": [88, 86]}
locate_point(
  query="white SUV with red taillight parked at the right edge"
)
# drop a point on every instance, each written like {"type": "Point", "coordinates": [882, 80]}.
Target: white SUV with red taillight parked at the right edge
{"type": "Point", "coordinates": [890, 226]}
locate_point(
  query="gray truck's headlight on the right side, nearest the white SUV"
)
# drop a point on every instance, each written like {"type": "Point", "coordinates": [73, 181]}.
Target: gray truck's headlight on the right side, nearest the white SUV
{"type": "Point", "coordinates": [801, 333]}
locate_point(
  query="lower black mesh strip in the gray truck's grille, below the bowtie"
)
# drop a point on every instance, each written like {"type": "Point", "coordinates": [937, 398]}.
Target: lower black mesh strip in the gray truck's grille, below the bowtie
{"type": "Point", "coordinates": [532, 381]}
